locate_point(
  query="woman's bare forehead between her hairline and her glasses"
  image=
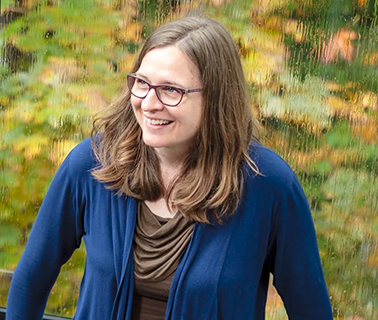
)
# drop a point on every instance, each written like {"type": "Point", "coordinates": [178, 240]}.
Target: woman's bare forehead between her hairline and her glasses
{"type": "Point", "coordinates": [169, 64]}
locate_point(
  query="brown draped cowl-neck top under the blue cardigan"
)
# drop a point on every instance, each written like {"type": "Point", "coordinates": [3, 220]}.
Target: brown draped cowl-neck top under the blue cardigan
{"type": "Point", "coordinates": [159, 244]}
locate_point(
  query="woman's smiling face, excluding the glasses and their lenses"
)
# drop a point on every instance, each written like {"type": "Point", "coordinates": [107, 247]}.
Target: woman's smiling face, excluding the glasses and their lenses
{"type": "Point", "coordinates": [170, 130]}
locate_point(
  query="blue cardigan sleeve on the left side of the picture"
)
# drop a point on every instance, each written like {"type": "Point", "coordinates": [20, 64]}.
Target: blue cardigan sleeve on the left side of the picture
{"type": "Point", "coordinates": [55, 235]}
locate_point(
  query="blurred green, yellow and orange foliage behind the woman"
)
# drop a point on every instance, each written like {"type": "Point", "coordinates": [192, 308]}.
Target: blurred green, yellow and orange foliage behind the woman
{"type": "Point", "coordinates": [312, 67]}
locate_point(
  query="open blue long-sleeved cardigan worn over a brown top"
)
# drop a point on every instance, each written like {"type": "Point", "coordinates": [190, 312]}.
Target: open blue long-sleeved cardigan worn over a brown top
{"type": "Point", "coordinates": [223, 274]}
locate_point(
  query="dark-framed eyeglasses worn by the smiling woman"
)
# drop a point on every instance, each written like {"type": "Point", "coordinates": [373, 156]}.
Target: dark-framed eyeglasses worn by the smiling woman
{"type": "Point", "coordinates": [168, 95]}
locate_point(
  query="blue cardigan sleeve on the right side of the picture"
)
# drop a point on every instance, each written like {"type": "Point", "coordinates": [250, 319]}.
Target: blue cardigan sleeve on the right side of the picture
{"type": "Point", "coordinates": [296, 266]}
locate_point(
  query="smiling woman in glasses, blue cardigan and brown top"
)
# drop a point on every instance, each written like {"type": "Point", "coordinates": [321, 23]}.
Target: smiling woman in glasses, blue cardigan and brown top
{"type": "Point", "coordinates": [183, 213]}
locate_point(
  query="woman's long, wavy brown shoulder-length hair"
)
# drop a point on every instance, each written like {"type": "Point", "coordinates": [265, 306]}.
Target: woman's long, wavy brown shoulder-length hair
{"type": "Point", "coordinates": [210, 182]}
